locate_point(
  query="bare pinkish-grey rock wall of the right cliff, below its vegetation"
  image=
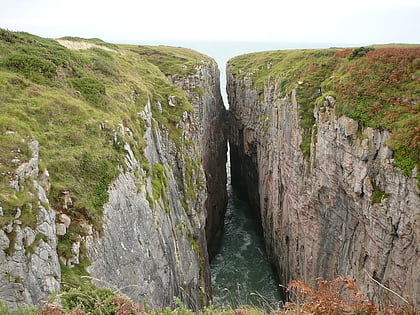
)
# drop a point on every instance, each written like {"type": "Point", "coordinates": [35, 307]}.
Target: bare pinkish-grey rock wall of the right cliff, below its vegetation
{"type": "Point", "coordinates": [319, 213]}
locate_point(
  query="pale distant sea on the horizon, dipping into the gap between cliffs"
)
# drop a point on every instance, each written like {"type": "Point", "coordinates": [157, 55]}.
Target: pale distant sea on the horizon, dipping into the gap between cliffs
{"type": "Point", "coordinates": [222, 51]}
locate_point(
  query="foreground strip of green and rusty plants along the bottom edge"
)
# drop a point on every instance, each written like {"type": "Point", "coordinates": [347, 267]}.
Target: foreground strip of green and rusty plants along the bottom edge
{"type": "Point", "coordinates": [339, 296]}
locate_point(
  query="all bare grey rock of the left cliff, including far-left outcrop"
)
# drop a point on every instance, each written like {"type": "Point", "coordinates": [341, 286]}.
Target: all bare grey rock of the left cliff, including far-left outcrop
{"type": "Point", "coordinates": [151, 248]}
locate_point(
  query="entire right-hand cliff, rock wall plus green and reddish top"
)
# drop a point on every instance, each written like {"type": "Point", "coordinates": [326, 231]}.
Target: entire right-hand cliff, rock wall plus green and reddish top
{"type": "Point", "coordinates": [316, 137]}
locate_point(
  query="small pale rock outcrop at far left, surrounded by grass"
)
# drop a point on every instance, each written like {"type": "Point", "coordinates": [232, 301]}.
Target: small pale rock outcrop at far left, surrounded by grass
{"type": "Point", "coordinates": [29, 267]}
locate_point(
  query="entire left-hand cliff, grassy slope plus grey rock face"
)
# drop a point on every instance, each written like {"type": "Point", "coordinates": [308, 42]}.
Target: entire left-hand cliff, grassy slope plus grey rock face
{"type": "Point", "coordinates": [105, 154]}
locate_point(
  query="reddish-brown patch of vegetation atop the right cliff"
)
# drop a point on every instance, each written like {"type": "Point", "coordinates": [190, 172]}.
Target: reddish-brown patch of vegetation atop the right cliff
{"type": "Point", "coordinates": [380, 90]}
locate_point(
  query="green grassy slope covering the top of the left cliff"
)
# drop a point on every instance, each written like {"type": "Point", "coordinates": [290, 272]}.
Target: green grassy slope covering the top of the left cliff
{"type": "Point", "coordinates": [78, 104]}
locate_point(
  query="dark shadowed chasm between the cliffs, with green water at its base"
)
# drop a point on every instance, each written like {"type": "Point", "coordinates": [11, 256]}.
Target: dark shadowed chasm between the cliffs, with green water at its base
{"type": "Point", "coordinates": [241, 273]}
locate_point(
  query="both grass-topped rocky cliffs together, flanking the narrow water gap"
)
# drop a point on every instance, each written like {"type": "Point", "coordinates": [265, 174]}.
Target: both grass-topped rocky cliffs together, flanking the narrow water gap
{"type": "Point", "coordinates": [112, 163]}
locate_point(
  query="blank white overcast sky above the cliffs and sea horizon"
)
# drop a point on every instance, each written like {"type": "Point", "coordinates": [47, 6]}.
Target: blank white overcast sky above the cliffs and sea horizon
{"type": "Point", "coordinates": [332, 21]}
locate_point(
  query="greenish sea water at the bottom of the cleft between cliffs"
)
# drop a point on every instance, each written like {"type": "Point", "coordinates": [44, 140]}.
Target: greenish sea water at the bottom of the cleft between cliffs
{"type": "Point", "coordinates": [241, 273]}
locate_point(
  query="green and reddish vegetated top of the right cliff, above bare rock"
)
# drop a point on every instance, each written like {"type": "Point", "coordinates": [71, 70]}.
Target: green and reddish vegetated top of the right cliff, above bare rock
{"type": "Point", "coordinates": [379, 88]}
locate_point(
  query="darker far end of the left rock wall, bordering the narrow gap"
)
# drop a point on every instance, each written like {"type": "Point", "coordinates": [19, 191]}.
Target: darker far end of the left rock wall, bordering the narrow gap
{"type": "Point", "coordinates": [210, 111]}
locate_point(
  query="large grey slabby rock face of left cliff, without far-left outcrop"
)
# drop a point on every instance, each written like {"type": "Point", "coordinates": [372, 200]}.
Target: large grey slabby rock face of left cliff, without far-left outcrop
{"type": "Point", "coordinates": [154, 246]}
